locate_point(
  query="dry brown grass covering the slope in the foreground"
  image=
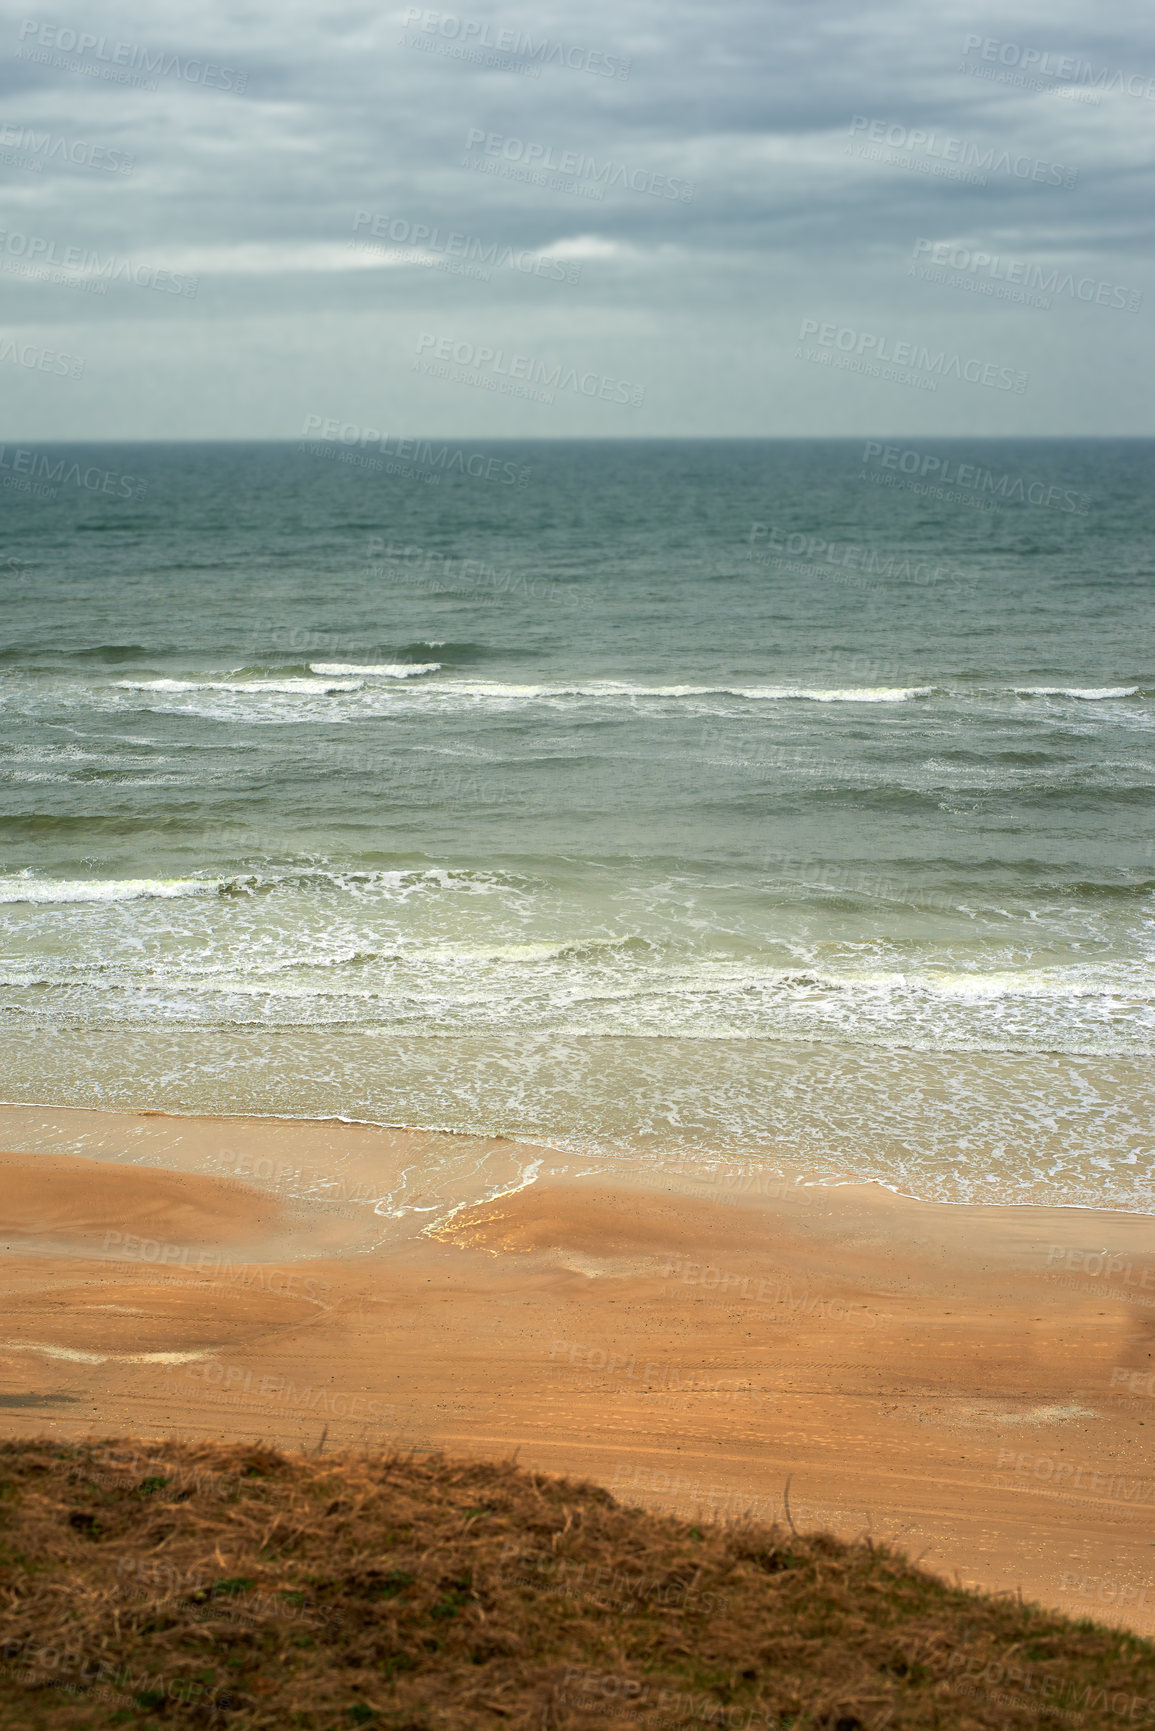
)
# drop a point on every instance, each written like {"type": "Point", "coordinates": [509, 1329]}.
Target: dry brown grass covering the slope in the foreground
{"type": "Point", "coordinates": [236, 1586]}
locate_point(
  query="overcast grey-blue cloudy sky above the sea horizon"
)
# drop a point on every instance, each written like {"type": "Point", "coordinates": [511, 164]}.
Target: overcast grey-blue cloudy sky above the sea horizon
{"type": "Point", "coordinates": [635, 221]}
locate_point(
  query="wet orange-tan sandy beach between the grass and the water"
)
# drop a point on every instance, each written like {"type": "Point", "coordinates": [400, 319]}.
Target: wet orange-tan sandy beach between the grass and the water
{"type": "Point", "coordinates": [972, 1386]}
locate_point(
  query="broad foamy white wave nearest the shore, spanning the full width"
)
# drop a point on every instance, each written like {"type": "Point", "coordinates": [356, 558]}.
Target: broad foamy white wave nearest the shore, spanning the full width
{"type": "Point", "coordinates": [515, 989]}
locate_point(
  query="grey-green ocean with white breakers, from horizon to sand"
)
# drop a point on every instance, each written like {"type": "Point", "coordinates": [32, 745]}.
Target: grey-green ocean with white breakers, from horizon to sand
{"type": "Point", "coordinates": [771, 801]}
